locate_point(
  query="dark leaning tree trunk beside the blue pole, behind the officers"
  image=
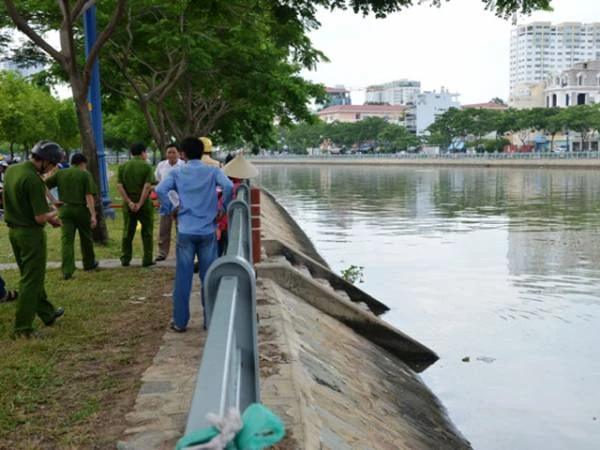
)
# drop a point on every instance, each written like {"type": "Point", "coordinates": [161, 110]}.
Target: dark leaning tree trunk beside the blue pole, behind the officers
{"type": "Point", "coordinates": [88, 146]}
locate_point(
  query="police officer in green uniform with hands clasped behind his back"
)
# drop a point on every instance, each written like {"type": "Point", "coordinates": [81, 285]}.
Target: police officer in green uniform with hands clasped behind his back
{"type": "Point", "coordinates": [134, 182]}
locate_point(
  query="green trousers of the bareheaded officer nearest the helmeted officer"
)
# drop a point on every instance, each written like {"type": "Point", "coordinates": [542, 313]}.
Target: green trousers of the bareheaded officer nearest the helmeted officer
{"type": "Point", "coordinates": [76, 218]}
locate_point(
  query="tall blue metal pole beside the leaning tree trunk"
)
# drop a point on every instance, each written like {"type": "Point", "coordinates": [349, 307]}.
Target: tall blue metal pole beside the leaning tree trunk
{"type": "Point", "coordinates": [89, 25]}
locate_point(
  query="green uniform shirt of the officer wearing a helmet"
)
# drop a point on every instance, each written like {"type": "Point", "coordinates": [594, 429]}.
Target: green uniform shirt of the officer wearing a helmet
{"type": "Point", "coordinates": [24, 196]}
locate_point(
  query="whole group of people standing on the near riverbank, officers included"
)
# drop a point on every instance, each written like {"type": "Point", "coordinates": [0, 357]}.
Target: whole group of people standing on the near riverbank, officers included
{"type": "Point", "coordinates": [186, 183]}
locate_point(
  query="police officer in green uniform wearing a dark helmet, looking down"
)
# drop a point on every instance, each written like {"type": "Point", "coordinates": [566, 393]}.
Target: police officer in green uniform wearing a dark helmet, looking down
{"type": "Point", "coordinates": [26, 211]}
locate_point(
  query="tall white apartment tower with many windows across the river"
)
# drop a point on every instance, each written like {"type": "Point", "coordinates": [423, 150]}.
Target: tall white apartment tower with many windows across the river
{"type": "Point", "coordinates": [540, 49]}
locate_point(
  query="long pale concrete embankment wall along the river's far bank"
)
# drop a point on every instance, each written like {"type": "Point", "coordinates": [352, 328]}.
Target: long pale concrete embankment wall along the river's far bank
{"type": "Point", "coordinates": [592, 163]}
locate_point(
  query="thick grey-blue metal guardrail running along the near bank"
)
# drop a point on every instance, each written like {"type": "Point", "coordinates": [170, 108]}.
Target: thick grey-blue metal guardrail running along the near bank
{"type": "Point", "coordinates": [229, 371]}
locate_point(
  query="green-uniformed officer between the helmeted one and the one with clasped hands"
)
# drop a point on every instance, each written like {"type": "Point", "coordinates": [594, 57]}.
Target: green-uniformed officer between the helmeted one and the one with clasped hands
{"type": "Point", "coordinates": [76, 190]}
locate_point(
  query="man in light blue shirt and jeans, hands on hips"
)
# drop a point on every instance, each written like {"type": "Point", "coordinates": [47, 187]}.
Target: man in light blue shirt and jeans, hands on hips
{"type": "Point", "coordinates": [196, 184]}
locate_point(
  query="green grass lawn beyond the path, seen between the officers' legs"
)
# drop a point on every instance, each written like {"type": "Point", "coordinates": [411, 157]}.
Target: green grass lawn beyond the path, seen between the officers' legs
{"type": "Point", "coordinates": [115, 232]}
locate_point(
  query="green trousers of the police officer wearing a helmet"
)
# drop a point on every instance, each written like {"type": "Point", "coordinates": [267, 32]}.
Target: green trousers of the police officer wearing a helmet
{"type": "Point", "coordinates": [29, 247]}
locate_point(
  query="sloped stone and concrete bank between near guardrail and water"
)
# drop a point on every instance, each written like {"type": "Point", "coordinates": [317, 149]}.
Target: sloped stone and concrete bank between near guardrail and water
{"type": "Point", "coordinates": [340, 377]}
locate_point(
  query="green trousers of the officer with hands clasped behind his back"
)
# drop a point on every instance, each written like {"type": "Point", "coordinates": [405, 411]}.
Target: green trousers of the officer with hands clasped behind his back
{"type": "Point", "coordinates": [145, 215]}
